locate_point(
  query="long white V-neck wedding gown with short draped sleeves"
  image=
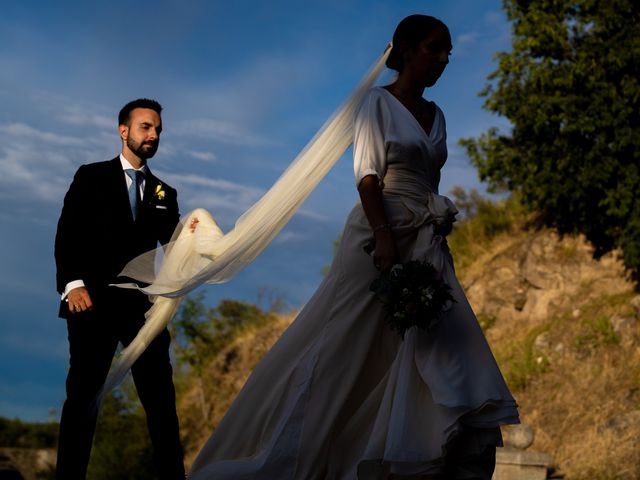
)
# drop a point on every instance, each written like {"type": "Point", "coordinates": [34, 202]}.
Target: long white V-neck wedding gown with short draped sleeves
{"type": "Point", "coordinates": [340, 395]}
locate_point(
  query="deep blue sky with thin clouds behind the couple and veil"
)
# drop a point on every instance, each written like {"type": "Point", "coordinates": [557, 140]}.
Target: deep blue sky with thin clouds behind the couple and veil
{"type": "Point", "coordinates": [244, 84]}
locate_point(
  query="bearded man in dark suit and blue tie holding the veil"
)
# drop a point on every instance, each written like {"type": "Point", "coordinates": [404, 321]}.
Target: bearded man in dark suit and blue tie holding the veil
{"type": "Point", "coordinates": [114, 211]}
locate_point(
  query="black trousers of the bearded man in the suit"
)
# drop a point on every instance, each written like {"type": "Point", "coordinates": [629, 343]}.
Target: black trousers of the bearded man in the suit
{"type": "Point", "coordinates": [93, 338]}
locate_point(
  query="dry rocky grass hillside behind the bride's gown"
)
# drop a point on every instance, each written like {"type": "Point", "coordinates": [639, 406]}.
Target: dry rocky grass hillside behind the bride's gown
{"type": "Point", "coordinates": [563, 326]}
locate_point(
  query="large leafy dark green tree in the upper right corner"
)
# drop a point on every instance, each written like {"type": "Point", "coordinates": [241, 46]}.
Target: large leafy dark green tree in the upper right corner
{"type": "Point", "coordinates": [571, 89]}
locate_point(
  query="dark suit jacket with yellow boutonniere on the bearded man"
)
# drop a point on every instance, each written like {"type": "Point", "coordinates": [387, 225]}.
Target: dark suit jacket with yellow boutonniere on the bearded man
{"type": "Point", "coordinates": [96, 234]}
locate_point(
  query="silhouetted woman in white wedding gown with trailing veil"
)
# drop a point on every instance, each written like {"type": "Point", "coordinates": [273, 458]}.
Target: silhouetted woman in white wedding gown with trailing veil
{"type": "Point", "coordinates": [340, 395]}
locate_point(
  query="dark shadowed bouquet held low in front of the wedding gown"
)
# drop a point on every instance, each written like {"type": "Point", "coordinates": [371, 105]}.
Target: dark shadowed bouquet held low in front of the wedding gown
{"type": "Point", "coordinates": [413, 294]}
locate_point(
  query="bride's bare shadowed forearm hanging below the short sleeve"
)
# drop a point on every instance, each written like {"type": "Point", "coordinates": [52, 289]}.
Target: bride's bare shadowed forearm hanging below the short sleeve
{"type": "Point", "coordinates": [371, 198]}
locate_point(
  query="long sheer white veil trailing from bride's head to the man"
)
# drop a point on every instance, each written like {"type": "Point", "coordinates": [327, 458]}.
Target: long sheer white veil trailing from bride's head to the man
{"type": "Point", "coordinates": [210, 256]}
